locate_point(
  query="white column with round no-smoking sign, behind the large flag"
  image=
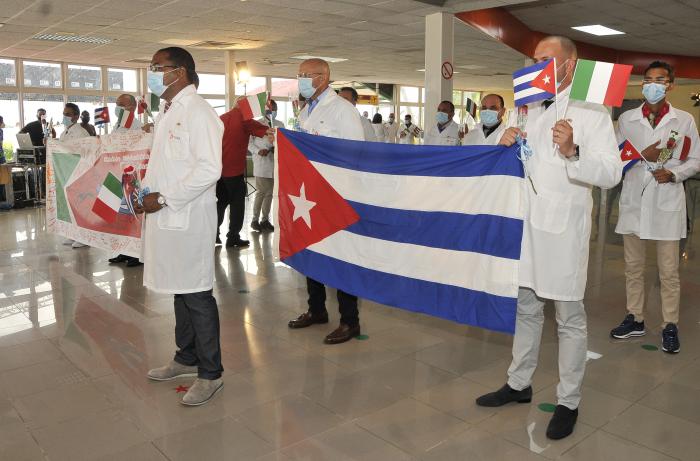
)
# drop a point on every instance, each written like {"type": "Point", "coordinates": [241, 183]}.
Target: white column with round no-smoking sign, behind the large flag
{"type": "Point", "coordinates": [439, 47]}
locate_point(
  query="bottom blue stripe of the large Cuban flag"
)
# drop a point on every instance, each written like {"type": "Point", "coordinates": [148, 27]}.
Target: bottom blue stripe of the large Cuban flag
{"type": "Point", "coordinates": [445, 301]}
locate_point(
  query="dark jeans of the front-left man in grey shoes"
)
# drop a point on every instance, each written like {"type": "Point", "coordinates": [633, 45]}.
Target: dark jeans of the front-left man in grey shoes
{"type": "Point", "coordinates": [197, 333]}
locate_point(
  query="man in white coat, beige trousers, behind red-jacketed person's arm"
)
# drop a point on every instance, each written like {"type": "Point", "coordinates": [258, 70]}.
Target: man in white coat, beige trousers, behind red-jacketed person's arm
{"type": "Point", "coordinates": [263, 153]}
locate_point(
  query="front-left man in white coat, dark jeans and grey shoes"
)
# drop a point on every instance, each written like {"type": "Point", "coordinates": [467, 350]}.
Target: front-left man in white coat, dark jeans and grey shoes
{"type": "Point", "coordinates": [180, 221]}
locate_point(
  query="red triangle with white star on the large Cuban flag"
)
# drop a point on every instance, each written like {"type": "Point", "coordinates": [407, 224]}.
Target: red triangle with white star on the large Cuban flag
{"type": "Point", "coordinates": [309, 208]}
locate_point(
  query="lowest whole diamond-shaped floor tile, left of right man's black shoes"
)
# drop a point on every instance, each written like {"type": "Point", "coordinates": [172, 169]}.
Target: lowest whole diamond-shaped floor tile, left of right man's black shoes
{"type": "Point", "coordinates": [412, 425]}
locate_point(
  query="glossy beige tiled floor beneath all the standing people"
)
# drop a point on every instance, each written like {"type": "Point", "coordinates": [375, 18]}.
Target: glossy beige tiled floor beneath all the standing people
{"type": "Point", "coordinates": [77, 336]}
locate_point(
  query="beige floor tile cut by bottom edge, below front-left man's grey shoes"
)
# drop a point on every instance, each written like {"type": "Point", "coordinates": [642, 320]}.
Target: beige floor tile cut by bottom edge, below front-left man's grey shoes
{"type": "Point", "coordinates": [223, 439]}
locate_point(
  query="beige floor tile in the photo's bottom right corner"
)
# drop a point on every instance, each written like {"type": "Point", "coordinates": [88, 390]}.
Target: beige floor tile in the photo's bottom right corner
{"type": "Point", "coordinates": [659, 431]}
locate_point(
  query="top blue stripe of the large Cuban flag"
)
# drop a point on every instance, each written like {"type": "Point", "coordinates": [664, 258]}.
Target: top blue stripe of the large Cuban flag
{"type": "Point", "coordinates": [399, 159]}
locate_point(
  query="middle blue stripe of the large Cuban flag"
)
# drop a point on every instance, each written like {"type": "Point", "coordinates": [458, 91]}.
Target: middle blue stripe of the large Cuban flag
{"type": "Point", "coordinates": [485, 234]}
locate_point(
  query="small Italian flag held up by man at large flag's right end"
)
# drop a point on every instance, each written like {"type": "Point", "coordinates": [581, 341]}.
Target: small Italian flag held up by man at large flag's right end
{"type": "Point", "coordinates": [600, 82]}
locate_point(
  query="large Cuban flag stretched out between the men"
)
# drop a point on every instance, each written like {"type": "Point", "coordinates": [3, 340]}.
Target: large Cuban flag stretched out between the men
{"type": "Point", "coordinates": [430, 229]}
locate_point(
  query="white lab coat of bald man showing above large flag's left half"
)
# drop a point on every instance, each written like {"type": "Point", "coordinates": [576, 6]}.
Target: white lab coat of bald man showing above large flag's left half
{"type": "Point", "coordinates": [334, 117]}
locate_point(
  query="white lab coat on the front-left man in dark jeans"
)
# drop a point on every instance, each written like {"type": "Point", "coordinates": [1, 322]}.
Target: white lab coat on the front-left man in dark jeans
{"type": "Point", "coordinates": [185, 164]}
